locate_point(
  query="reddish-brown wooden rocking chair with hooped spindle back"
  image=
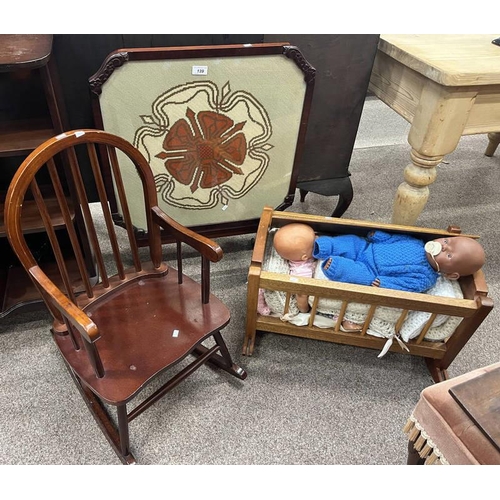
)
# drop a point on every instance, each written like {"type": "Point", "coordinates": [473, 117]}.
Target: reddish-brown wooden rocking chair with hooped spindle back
{"type": "Point", "coordinates": [140, 317]}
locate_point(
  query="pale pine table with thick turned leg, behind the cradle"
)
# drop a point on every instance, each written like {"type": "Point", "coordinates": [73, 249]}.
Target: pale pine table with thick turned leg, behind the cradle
{"type": "Point", "coordinates": [446, 86]}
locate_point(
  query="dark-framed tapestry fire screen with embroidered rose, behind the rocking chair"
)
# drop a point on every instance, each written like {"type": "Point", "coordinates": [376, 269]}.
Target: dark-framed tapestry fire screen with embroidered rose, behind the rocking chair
{"type": "Point", "coordinates": [222, 128]}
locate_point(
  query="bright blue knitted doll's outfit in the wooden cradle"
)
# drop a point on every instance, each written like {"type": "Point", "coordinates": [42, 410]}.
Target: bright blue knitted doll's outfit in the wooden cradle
{"type": "Point", "coordinates": [399, 261]}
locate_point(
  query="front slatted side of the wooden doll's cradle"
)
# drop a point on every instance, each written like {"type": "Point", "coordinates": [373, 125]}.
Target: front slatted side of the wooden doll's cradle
{"type": "Point", "coordinates": [438, 355]}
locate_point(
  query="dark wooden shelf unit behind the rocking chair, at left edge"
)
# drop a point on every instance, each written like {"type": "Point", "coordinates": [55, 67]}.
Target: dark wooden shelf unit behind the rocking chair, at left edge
{"type": "Point", "coordinates": [27, 59]}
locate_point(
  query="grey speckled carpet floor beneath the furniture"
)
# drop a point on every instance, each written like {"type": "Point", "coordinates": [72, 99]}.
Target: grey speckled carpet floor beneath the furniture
{"type": "Point", "coordinates": [304, 401]}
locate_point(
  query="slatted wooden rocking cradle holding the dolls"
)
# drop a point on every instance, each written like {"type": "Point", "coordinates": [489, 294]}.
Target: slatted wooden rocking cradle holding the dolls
{"type": "Point", "coordinates": [473, 308]}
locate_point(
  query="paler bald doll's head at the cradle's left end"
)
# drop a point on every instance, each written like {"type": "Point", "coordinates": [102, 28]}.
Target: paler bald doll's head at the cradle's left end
{"type": "Point", "coordinates": [295, 241]}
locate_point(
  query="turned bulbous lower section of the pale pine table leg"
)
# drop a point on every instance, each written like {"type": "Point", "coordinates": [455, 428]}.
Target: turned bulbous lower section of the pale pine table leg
{"type": "Point", "coordinates": [413, 193]}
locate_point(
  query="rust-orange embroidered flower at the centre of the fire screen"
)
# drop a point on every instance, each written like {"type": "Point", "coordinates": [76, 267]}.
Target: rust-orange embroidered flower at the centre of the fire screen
{"type": "Point", "coordinates": [204, 150]}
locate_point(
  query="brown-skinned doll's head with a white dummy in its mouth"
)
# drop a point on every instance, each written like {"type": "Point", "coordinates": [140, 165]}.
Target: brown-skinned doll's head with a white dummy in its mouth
{"type": "Point", "coordinates": [455, 256]}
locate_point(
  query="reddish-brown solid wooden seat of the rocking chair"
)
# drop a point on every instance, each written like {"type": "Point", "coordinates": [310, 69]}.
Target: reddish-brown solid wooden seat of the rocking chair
{"type": "Point", "coordinates": [160, 338]}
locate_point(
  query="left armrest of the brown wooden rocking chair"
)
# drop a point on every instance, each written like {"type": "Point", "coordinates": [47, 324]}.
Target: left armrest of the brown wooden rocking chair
{"type": "Point", "coordinates": [85, 326]}
